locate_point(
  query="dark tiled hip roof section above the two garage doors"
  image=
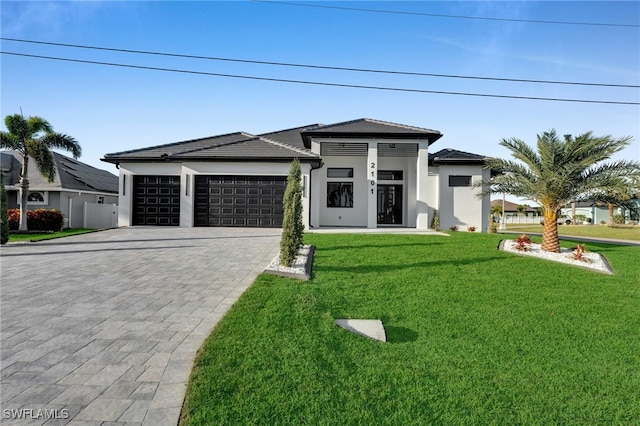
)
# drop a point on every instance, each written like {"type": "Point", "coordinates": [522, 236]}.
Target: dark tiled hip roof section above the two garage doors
{"type": "Point", "coordinates": [233, 146]}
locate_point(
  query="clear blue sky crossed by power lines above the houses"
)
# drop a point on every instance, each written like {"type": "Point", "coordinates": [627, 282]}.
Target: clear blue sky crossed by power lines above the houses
{"type": "Point", "coordinates": [110, 109]}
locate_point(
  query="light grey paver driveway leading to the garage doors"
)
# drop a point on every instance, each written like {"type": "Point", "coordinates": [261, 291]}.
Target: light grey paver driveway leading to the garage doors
{"type": "Point", "coordinates": [104, 327]}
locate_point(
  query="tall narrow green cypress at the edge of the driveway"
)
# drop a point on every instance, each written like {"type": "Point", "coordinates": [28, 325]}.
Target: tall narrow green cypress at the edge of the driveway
{"type": "Point", "coordinates": [292, 226]}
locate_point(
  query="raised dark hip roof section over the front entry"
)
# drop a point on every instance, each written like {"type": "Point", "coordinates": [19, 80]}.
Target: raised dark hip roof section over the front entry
{"type": "Point", "coordinates": [370, 128]}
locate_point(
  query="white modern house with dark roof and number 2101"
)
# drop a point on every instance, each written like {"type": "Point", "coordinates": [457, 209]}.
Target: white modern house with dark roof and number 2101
{"type": "Point", "coordinates": [360, 173]}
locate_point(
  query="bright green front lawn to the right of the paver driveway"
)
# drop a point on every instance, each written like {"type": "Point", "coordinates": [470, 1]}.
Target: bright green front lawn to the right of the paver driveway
{"type": "Point", "coordinates": [475, 336]}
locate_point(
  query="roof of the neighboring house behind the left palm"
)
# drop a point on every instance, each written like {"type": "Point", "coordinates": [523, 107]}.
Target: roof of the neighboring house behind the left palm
{"type": "Point", "coordinates": [70, 174]}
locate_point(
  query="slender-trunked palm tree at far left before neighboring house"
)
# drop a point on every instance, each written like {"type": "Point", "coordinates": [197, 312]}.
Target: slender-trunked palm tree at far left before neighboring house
{"type": "Point", "coordinates": [34, 138]}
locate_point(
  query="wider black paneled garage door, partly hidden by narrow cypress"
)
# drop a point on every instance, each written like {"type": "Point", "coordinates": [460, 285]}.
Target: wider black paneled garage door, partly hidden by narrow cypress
{"type": "Point", "coordinates": [239, 201]}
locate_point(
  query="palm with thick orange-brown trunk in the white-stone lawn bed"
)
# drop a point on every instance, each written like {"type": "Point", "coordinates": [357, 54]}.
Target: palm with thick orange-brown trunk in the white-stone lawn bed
{"type": "Point", "coordinates": [561, 171]}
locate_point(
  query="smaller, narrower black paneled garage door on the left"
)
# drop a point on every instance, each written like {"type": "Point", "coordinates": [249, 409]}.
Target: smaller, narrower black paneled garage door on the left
{"type": "Point", "coordinates": [156, 200]}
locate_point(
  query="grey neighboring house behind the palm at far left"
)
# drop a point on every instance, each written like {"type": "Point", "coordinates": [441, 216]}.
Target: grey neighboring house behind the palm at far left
{"type": "Point", "coordinates": [74, 185]}
